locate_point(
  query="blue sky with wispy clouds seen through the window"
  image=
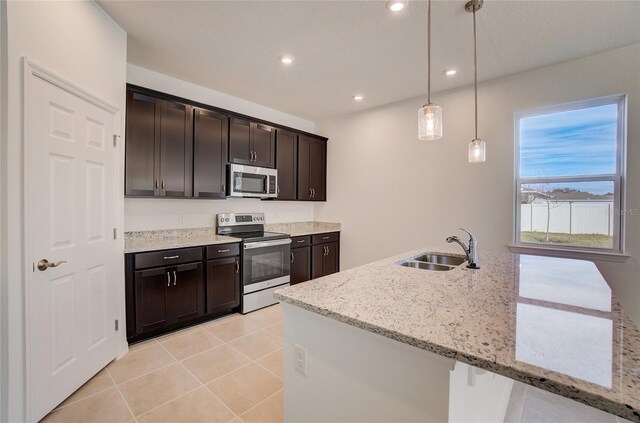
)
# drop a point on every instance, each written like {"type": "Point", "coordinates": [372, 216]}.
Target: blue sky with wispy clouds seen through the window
{"type": "Point", "coordinates": [576, 142]}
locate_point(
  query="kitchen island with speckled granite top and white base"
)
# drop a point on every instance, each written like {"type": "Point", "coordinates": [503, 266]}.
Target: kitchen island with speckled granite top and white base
{"type": "Point", "coordinates": [413, 343]}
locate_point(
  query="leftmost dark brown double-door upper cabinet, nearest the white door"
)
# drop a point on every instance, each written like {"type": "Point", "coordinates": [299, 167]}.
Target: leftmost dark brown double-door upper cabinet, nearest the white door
{"type": "Point", "coordinates": [158, 147]}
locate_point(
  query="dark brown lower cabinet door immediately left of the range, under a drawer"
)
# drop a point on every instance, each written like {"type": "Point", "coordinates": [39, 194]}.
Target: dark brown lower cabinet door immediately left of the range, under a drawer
{"type": "Point", "coordinates": [223, 284]}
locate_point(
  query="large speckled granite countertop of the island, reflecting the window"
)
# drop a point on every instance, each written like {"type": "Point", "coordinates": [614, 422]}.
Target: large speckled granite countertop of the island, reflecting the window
{"type": "Point", "coordinates": [548, 322]}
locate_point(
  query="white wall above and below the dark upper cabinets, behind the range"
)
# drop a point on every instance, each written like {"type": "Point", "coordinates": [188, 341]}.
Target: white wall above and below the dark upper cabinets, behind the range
{"type": "Point", "coordinates": [156, 213]}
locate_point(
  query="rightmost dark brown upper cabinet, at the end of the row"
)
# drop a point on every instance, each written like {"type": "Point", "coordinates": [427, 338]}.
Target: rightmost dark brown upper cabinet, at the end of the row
{"type": "Point", "coordinates": [312, 164]}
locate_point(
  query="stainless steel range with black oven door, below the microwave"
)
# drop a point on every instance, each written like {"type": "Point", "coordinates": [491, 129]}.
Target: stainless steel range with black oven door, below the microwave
{"type": "Point", "coordinates": [264, 255]}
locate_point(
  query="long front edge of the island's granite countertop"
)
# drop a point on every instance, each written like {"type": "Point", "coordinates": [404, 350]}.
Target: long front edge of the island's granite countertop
{"type": "Point", "coordinates": [566, 391]}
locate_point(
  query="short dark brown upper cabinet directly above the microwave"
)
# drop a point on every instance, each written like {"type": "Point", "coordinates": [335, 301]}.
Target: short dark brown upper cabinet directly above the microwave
{"type": "Point", "coordinates": [251, 143]}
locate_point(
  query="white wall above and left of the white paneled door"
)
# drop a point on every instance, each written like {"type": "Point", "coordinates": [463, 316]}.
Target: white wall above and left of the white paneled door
{"type": "Point", "coordinates": [79, 42]}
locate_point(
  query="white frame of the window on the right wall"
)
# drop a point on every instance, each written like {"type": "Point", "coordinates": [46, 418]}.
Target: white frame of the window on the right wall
{"type": "Point", "coordinates": [618, 180]}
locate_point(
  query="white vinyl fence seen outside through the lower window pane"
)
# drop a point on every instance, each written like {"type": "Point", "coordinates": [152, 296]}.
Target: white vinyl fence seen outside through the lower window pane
{"type": "Point", "coordinates": [572, 217]}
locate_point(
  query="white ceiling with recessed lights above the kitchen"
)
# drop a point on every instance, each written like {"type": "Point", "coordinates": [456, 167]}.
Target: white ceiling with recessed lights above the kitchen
{"type": "Point", "coordinates": [343, 48]}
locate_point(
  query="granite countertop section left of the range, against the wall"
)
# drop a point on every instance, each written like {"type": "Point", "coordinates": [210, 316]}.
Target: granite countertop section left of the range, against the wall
{"type": "Point", "coordinates": [136, 242]}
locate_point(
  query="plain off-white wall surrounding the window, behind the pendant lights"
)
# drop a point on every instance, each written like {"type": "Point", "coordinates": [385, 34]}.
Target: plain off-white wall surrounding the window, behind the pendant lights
{"type": "Point", "coordinates": [393, 193]}
